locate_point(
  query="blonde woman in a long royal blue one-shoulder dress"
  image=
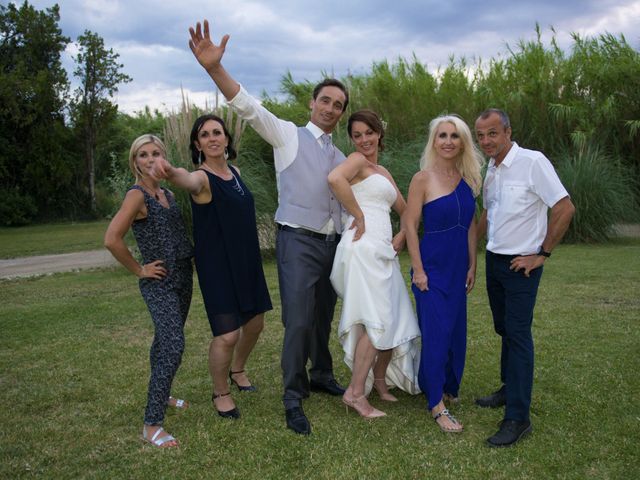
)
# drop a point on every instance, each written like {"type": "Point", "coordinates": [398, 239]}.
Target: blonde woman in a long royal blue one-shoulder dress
{"type": "Point", "coordinates": [444, 261]}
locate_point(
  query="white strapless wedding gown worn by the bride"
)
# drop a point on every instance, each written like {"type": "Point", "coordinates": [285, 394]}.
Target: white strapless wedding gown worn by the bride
{"type": "Point", "coordinates": [366, 274]}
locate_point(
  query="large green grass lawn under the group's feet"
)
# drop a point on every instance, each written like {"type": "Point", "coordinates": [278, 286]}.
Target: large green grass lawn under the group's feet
{"type": "Point", "coordinates": [74, 367]}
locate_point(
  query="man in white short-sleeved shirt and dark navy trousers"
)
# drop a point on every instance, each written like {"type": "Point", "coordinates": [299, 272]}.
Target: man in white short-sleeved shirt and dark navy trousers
{"type": "Point", "coordinates": [520, 186]}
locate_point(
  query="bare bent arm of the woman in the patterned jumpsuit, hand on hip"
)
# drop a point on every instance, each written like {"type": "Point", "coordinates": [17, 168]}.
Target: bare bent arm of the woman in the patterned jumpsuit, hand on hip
{"type": "Point", "coordinates": [132, 208]}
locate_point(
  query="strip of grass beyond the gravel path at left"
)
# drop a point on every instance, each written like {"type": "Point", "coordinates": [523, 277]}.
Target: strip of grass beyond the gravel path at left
{"type": "Point", "coordinates": [51, 238]}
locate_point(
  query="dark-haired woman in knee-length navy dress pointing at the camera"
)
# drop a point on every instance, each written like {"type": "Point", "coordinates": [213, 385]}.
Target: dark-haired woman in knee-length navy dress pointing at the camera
{"type": "Point", "coordinates": [227, 257]}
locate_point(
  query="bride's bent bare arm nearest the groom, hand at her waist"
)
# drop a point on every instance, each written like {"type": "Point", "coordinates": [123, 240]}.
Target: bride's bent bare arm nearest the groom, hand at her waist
{"type": "Point", "coordinates": [340, 182]}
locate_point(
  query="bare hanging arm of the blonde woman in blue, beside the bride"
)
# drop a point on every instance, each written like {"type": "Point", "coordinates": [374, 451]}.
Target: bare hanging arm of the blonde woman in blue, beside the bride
{"type": "Point", "coordinates": [410, 222]}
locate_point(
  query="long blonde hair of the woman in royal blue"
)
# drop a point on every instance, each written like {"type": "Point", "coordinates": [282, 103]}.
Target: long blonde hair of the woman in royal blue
{"type": "Point", "coordinates": [470, 161]}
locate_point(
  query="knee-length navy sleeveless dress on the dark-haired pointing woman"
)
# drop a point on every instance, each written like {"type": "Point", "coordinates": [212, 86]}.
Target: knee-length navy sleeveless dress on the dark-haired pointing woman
{"type": "Point", "coordinates": [227, 255]}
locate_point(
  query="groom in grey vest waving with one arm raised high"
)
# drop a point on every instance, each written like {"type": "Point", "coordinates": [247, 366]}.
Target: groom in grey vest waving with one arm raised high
{"type": "Point", "coordinates": [308, 220]}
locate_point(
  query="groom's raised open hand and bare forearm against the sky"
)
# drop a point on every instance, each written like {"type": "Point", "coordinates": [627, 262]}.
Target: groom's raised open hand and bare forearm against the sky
{"type": "Point", "coordinates": [209, 55]}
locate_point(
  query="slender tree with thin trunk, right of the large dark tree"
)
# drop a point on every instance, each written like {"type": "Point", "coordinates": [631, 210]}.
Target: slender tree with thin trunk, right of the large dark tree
{"type": "Point", "coordinates": [92, 110]}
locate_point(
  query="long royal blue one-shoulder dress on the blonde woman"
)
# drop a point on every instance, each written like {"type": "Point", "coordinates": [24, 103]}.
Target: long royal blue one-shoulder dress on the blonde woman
{"type": "Point", "coordinates": [442, 310]}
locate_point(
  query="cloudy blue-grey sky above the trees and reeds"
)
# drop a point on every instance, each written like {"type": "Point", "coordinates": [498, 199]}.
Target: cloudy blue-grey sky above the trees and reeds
{"type": "Point", "coordinates": [271, 37]}
